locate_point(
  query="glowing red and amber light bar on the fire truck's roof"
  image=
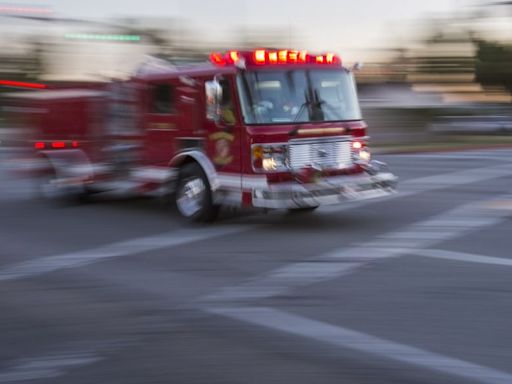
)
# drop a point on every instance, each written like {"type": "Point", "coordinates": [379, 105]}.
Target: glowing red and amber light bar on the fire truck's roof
{"type": "Point", "coordinates": [273, 57]}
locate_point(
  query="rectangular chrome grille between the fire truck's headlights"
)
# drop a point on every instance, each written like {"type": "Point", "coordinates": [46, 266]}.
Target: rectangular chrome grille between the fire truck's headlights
{"type": "Point", "coordinates": [331, 153]}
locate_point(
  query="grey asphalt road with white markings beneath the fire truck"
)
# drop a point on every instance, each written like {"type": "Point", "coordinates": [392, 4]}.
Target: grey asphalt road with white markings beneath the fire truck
{"type": "Point", "coordinates": [412, 289]}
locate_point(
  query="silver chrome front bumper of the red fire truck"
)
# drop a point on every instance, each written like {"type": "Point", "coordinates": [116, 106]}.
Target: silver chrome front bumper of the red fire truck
{"type": "Point", "coordinates": [328, 191]}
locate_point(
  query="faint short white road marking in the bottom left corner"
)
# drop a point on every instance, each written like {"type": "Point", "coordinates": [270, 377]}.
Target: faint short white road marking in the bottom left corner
{"type": "Point", "coordinates": [47, 367]}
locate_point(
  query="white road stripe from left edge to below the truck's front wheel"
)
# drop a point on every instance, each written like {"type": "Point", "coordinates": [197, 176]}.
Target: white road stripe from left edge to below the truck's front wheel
{"type": "Point", "coordinates": [125, 248]}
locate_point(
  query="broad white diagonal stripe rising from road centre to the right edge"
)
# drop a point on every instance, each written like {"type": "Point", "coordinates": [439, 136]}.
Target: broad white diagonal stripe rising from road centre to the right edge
{"type": "Point", "coordinates": [452, 224]}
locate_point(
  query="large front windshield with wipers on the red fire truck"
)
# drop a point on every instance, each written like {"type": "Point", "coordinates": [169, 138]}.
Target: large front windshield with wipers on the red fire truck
{"type": "Point", "coordinates": [302, 96]}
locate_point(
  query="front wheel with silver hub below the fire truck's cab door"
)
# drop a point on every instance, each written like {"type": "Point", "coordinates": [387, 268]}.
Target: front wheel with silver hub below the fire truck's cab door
{"type": "Point", "coordinates": [193, 195]}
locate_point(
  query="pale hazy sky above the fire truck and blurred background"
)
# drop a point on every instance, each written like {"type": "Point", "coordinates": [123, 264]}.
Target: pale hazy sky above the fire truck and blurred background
{"type": "Point", "coordinates": [352, 25]}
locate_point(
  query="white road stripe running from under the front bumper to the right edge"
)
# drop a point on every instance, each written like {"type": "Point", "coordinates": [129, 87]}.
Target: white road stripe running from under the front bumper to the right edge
{"type": "Point", "coordinates": [425, 184]}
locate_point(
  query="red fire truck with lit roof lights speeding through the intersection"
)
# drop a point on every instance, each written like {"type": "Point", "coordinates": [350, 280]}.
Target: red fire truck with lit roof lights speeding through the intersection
{"type": "Point", "coordinates": [271, 129]}
